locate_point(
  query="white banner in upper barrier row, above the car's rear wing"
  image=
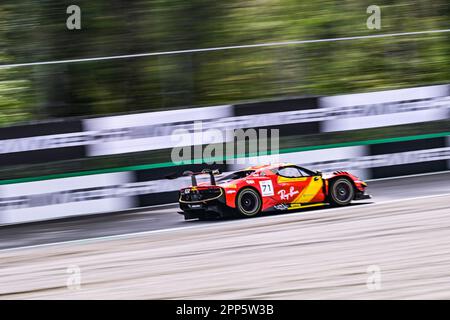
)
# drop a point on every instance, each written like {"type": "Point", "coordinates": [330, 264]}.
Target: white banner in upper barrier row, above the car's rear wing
{"type": "Point", "coordinates": [152, 130]}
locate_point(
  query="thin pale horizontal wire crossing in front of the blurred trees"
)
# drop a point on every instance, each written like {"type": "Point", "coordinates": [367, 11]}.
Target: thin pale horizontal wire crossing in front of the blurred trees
{"type": "Point", "coordinates": [258, 45]}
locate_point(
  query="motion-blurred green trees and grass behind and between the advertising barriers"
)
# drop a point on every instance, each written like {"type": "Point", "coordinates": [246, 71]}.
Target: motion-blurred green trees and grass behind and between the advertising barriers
{"type": "Point", "coordinates": [32, 31]}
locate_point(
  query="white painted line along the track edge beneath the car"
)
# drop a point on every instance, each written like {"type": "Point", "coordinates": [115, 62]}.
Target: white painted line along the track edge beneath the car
{"type": "Point", "coordinates": [225, 223]}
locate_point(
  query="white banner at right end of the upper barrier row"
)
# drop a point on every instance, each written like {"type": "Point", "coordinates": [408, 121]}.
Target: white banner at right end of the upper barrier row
{"type": "Point", "coordinates": [385, 108]}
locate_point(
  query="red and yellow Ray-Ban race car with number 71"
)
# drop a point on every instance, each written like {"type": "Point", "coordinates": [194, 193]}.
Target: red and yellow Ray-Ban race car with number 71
{"type": "Point", "coordinates": [284, 186]}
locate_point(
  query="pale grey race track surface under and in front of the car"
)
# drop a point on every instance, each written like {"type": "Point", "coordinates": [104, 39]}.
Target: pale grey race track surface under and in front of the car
{"type": "Point", "coordinates": [404, 233]}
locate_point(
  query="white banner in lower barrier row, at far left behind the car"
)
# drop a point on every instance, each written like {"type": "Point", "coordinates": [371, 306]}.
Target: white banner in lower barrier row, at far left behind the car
{"type": "Point", "coordinates": [58, 198]}
